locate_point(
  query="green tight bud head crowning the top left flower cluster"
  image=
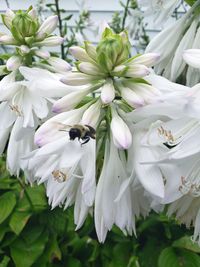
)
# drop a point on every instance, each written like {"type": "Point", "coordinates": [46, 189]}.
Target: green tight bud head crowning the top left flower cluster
{"type": "Point", "coordinates": [23, 25]}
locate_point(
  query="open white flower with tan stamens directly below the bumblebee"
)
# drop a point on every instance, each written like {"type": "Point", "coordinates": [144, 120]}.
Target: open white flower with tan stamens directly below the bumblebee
{"type": "Point", "coordinates": [68, 170]}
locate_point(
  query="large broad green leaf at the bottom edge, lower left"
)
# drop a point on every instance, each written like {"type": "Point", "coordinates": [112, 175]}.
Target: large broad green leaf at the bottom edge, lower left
{"type": "Point", "coordinates": [25, 251]}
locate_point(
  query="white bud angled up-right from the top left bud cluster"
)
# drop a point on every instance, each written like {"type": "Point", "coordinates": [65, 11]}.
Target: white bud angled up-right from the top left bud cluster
{"type": "Point", "coordinates": [47, 27]}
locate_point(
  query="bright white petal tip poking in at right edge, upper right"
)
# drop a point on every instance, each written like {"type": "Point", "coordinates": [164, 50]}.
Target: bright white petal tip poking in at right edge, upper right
{"type": "Point", "coordinates": [192, 57]}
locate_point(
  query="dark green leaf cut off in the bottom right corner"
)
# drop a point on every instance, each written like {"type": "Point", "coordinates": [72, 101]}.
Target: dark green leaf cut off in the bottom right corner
{"type": "Point", "coordinates": [171, 257]}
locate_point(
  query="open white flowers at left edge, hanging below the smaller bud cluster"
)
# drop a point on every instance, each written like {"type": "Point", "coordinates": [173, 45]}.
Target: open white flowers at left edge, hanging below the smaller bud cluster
{"type": "Point", "coordinates": [23, 104]}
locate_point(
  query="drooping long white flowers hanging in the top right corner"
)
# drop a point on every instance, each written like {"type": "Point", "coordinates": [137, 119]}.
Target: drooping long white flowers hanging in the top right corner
{"type": "Point", "coordinates": [171, 44]}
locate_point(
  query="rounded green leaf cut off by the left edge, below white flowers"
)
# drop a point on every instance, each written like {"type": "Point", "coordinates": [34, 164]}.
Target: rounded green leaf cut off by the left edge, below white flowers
{"type": "Point", "coordinates": [7, 204]}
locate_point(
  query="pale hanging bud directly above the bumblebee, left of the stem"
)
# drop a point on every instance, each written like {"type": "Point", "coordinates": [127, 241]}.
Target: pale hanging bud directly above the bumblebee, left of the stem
{"type": "Point", "coordinates": [92, 114]}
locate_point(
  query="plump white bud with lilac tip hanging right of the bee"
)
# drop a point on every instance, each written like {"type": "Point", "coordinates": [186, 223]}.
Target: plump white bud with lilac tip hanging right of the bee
{"type": "Point", "coordinates": [122, 136]}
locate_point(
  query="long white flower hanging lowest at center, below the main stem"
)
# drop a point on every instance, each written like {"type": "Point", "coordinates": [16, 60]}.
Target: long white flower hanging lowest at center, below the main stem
{"type": "Point", "coordinates": [110, 208]}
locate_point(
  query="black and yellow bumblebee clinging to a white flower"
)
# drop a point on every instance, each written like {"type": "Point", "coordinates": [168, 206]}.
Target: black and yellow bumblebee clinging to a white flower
{"type": "Point", "coordinates": [83, 132]}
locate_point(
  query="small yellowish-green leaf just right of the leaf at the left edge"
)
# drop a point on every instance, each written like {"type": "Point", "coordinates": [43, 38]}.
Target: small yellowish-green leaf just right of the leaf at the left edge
{"type": "Point", "coordinates": [18, 220]}
